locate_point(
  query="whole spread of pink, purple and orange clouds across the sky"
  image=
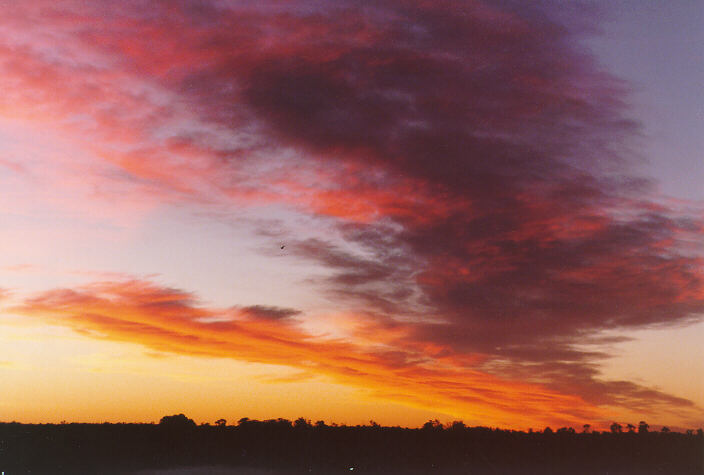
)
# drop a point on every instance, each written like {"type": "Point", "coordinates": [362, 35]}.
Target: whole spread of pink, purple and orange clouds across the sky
{"type": "Point", "coordinates": [473, 158]}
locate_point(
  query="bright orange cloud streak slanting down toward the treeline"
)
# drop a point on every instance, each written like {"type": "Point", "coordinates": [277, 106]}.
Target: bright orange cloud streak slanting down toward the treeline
{"type": "Point", "coordinates": [170, 320]}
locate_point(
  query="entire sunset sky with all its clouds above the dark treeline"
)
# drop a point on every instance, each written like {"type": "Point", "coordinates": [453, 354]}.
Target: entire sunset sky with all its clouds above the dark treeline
{"type": "Point", "coordinates": [393, 211]}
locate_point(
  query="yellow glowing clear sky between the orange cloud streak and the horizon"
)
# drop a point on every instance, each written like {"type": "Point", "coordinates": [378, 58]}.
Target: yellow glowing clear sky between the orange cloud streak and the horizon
{"type": "Point", "coordinates": [64, 376]}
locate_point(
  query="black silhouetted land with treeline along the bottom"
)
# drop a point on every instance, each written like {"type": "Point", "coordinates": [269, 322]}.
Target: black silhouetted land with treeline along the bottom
{"type": "Point", "coordinates": [299, 446]}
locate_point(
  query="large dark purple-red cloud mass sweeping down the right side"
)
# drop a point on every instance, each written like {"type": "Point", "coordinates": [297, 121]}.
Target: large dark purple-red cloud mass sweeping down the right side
{"type": "Point", "coordinates": [493, 150]}
